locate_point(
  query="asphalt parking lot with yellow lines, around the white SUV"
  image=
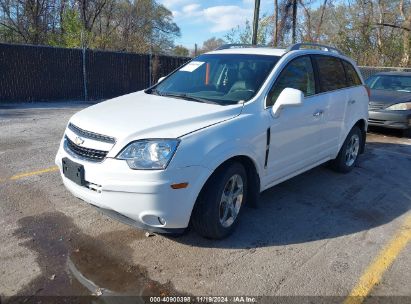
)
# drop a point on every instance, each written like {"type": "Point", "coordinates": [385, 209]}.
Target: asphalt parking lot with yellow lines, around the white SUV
{"type": "Point", "coordinates": [318, 234]}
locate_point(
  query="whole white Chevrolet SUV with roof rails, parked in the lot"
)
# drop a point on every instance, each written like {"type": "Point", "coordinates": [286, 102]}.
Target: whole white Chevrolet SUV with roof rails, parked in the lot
{"type": "Point", "coordinates": [207, 139]}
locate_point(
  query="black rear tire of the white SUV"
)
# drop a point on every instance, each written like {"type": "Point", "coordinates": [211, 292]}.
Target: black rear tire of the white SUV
{"type": "Point", "coordinates": [341, 163]}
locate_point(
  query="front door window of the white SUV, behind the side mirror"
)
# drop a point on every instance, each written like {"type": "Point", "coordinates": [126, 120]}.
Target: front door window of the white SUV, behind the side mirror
{"type": "Point", "coordinates": [298, 74]}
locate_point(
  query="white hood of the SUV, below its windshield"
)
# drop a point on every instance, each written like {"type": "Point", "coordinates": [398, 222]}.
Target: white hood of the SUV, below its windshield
{"type": "Point", "coordinates": [140, 115]}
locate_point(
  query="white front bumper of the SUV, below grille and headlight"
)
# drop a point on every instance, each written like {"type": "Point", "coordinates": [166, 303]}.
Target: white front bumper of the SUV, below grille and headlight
{"type": "Point", "coordinates": [141, 198]}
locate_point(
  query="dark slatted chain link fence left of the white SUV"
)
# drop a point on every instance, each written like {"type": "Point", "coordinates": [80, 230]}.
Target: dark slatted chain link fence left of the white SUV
{"type": "Point", "coordinates": [41, 73]}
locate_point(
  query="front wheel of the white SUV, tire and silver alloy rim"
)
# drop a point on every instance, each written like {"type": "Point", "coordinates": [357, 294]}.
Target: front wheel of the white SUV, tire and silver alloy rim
{"type": "Point", "coordinates": [216, 212]}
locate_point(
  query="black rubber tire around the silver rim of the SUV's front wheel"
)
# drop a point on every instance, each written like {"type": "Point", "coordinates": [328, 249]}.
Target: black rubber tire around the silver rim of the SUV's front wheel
{"type": "Point", "coordinates": [207, 211]}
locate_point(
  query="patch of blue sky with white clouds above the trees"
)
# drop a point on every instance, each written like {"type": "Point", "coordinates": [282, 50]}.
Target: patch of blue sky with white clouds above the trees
{"type": "Point", "coordinates": [201, 20]}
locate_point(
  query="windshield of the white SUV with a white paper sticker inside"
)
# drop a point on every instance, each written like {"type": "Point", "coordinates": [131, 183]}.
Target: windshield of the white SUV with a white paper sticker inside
{"type": "Point", "coordinates": [218, 78]}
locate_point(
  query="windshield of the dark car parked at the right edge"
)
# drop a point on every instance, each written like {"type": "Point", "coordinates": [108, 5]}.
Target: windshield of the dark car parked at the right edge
{"type": "Point", "coordinates": [390, 83]}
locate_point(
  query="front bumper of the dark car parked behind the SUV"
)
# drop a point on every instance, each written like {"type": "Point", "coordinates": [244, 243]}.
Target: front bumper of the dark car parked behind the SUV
{"type": "Point", "coordinates": [390, 119]}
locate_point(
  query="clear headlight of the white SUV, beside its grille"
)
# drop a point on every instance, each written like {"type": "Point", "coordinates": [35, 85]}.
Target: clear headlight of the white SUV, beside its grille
{"type": "Point", "coordinates": [154, 154]}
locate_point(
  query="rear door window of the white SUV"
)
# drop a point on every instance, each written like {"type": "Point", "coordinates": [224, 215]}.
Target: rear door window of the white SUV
{"type": "Point", "coordinates": [331, 73]}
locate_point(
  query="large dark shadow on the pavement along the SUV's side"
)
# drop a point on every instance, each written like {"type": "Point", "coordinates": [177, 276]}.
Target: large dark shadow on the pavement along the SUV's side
{"type": "Point", "coordinates": [322, 204]}
